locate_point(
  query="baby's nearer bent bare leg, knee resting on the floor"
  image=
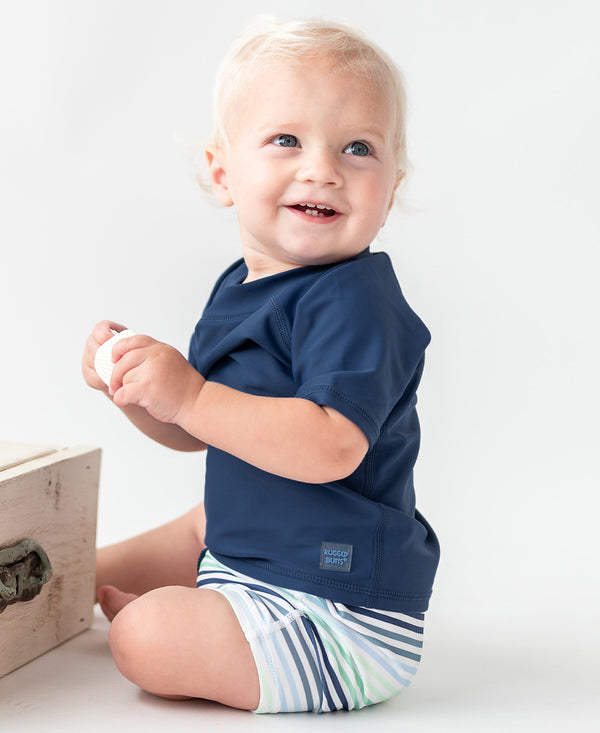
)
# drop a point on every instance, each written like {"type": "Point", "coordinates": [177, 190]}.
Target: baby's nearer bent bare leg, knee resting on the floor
{"type": "Point", "coordinates": [185, 643]}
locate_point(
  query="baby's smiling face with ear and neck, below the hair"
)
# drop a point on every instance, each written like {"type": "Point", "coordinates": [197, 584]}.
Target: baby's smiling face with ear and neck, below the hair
{"type": "Point", "coordinates": [310, 166]}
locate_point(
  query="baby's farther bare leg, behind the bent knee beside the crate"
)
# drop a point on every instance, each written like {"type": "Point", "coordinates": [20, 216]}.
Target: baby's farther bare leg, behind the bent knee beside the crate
{"type": "Point", "coordinates": [167, 555]}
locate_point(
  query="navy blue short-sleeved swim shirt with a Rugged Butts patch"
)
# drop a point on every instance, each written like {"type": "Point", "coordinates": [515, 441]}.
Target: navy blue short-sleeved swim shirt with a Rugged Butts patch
{"type": "Point", "coordinates": [341, 335]}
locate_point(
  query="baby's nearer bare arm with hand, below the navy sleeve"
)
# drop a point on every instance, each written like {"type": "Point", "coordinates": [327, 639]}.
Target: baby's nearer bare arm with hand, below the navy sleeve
{"type": "Point", "coordinates": [291, 437]}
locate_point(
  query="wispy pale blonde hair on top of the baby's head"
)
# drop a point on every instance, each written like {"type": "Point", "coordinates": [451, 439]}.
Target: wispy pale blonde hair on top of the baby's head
{"type": "Point", "coordinates": [267, 40]}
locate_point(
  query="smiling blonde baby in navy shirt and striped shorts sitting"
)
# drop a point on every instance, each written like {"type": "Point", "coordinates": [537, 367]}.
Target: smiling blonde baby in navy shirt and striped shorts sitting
{"type": "Point", "coordinates": [315, 567]}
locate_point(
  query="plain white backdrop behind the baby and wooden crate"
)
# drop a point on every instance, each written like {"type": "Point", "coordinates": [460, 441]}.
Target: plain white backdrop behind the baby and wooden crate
{"type": "Point", "coordinates": [100, 105]}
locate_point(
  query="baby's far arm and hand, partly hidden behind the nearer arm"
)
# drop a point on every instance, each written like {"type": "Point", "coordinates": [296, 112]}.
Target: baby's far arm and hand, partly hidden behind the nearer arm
{"type": "Point", "coordinates": [167, 434]}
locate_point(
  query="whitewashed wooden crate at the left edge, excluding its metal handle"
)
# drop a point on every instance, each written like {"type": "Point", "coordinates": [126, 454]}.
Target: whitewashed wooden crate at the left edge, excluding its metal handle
{"type": "Point", "coordinates": [49, 495]}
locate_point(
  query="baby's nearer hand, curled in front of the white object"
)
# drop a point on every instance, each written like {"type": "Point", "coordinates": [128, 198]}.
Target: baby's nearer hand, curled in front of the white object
{"type": "Point", "coordinates": [154, 376]}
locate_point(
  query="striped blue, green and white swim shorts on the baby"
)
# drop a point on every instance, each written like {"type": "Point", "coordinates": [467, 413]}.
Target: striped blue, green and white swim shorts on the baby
{"type": "Point", "coordinates": [313, 654]}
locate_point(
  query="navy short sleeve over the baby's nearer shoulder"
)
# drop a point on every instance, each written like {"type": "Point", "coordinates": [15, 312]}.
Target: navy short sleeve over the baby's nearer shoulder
{"type": "Point", "coordinates": [356, 344]}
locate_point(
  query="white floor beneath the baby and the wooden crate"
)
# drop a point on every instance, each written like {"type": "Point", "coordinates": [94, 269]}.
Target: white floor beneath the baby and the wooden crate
{"type": "Point", "coordinates": [497, 682]}
